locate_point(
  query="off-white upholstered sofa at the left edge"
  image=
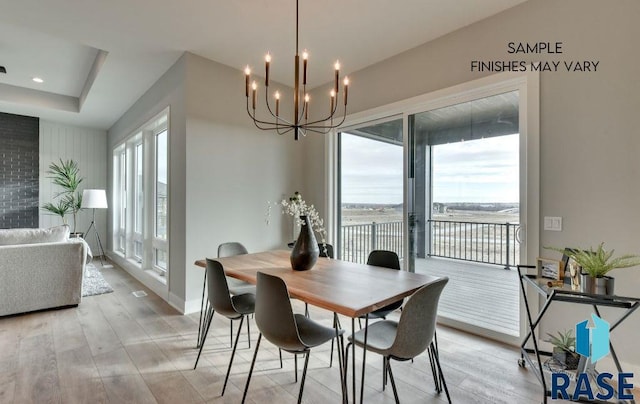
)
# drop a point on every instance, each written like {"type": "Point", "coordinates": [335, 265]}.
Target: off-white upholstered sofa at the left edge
{"type": "Point", "coordinates": [40, 269]}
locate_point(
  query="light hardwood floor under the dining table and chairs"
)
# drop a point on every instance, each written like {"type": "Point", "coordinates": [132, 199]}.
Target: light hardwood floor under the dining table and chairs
{"type": "Point", "coordinates": [118, 348]}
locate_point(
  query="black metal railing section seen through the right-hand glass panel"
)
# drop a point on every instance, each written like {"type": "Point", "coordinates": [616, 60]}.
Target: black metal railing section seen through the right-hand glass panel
{"type": "Point", "coordinates": [489, 243]}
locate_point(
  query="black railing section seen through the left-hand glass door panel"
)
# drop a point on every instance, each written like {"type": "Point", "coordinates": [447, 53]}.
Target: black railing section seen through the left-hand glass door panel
{"type": "Point", "coordinates": [358, 240]}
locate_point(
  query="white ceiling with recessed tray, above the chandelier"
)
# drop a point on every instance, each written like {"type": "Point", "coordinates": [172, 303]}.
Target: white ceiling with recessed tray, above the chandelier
{"type": "Point", "coordinates": [59, 40]}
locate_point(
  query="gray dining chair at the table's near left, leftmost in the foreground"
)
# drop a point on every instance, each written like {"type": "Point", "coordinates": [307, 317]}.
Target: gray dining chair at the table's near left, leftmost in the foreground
{"type": "Point", "coordinates": [221, 301]}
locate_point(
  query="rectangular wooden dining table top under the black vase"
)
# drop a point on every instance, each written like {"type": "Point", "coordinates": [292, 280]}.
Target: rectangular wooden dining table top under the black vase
{"type": "Point", "coordinates": [344, 287]}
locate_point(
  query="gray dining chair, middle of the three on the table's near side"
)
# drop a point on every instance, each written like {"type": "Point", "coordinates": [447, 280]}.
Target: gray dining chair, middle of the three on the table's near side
{"type": "Point", "coordinates": [293, 333]}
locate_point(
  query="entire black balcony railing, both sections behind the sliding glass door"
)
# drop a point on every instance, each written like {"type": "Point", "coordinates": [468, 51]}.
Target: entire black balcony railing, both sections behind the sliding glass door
{"type": "Point", "coordinates": [489, 243]}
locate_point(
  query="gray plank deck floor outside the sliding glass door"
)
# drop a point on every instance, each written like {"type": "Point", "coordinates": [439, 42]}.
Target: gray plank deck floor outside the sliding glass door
{"type": "Point", "coordinates": [481, 295]}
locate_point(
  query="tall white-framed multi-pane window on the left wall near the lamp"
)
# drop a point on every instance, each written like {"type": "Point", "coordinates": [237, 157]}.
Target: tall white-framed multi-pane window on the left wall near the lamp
{"type": "Point", "coordinates": [141, 217]}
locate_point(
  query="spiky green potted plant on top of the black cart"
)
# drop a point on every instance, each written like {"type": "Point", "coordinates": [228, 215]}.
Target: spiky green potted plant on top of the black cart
{"type": "Point", "coordinates": [594, 266]}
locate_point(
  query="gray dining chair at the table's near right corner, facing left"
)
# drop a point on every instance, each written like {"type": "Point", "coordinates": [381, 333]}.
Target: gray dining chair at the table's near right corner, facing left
{"type": "Point", "coordinates": [407, 338]}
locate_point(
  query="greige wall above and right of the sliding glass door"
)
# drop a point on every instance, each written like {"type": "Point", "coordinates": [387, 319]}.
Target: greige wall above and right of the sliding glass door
{"type": "Point", "coordinates": [589, 143]}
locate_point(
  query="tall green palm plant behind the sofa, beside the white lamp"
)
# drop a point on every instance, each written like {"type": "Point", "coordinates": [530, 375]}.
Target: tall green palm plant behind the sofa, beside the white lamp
{"type": "Point", "coordinates": [66, 175]}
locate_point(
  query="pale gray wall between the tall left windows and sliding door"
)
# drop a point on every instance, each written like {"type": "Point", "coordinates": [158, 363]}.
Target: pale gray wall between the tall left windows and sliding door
{"type": "Point", "coordinates": [233, 170]}
